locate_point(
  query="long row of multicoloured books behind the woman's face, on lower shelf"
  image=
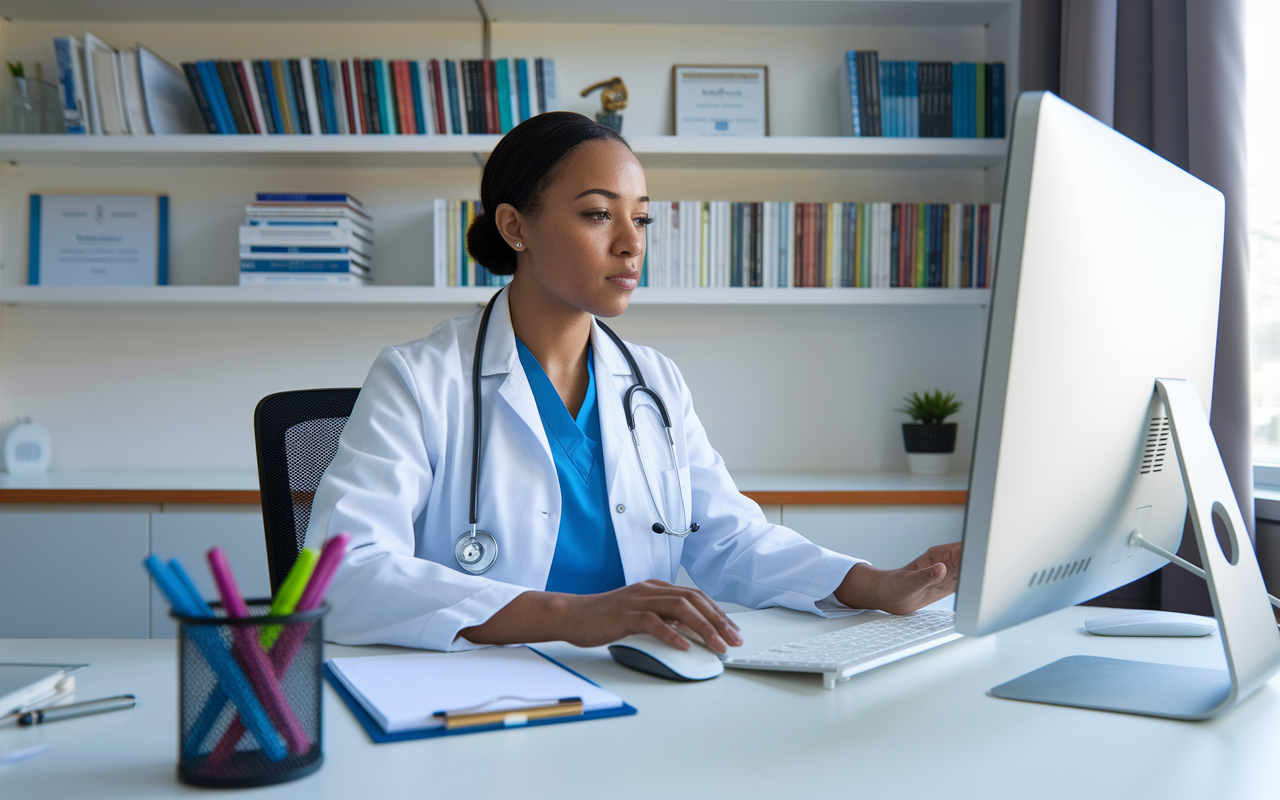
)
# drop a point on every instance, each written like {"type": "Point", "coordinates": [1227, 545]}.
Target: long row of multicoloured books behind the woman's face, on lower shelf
{"type": "Point", "coordinates": [780, 245]}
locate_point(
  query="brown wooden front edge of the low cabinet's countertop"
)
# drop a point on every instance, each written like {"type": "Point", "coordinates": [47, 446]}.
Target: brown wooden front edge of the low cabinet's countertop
{"type": "Point", "coordinates": [227, 497]}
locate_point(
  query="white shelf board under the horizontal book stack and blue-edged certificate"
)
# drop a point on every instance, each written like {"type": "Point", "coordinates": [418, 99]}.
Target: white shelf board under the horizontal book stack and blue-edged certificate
{"type": "Point", "coordinates": [432, 296]}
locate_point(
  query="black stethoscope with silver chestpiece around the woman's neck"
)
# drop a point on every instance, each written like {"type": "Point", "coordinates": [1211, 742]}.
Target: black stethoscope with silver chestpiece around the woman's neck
{"type": "Point", "coordinates": [477, 550]}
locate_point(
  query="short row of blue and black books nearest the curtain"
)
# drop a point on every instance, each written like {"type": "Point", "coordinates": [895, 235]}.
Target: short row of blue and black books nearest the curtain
{"type": "Point", "coordinates": [921, 99]}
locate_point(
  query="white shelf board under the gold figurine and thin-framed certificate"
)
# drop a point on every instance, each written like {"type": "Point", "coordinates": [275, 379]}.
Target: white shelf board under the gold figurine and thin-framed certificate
{"type": "Point", "coordinates": [401, 152]}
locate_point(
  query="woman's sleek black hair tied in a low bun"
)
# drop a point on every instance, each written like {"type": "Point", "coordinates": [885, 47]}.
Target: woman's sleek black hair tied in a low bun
{"type": "Point", "coordinates": [518, 173]}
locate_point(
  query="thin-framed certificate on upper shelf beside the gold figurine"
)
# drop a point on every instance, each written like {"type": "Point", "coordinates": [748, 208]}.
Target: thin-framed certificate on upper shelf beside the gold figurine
{"type": "Point", "coordinates": [721, 100]}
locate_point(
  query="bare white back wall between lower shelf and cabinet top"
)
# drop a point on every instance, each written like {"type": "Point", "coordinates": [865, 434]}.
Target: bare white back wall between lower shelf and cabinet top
{"type": "Point", "coordinates": [781, 388]}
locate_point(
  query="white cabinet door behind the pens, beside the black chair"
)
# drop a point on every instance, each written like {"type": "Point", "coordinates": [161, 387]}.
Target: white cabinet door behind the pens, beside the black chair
{"type": "Point", "coordinates": [188, 537]}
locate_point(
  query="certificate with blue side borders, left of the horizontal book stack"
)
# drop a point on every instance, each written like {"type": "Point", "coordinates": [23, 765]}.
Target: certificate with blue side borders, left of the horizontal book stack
{"type": "Point", "coordinates": [99, 240]}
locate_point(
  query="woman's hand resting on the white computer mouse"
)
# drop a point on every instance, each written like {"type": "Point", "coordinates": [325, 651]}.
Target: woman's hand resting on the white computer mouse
{"type": "Point", "coordinates": [652, 607]}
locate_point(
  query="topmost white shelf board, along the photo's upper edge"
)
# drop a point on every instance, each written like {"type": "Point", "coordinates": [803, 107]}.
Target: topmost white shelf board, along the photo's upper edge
{"type": "Point", "coordinates": [653, 12]}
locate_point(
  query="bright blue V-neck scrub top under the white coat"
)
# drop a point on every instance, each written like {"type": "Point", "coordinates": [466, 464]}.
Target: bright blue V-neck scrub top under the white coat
{"type": "Point", "coordinates": [587, 550]}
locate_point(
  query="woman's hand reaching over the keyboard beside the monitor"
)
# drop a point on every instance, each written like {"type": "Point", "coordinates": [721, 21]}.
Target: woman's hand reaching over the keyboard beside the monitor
{"type": "Point", "coordinates": [900, 592]}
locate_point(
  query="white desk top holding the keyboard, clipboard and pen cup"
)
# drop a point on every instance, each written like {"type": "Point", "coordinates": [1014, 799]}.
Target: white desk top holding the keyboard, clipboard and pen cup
{"type": "Point", "coordinates": [924, 728]}
